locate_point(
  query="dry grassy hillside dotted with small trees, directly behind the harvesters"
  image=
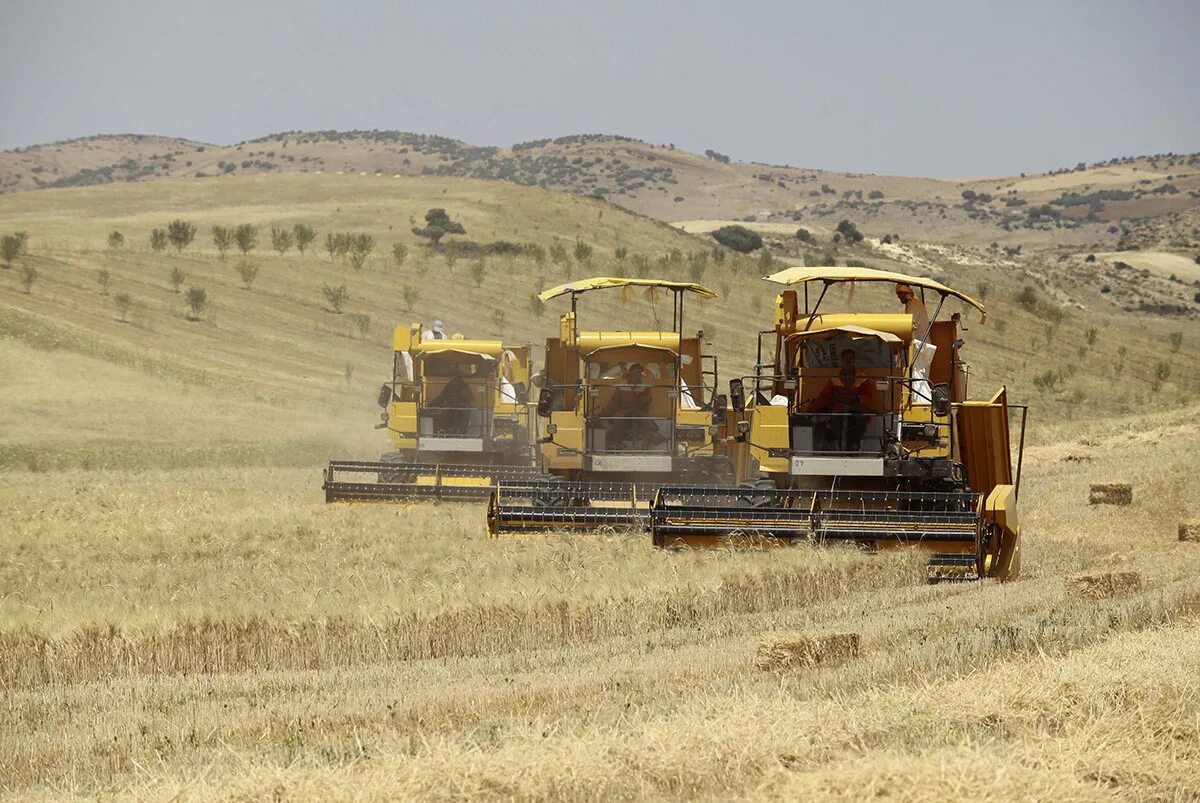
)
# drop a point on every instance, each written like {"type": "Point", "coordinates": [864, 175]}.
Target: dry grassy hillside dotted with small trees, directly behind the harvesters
{"type": "Point", "coordinates": [273, 370]}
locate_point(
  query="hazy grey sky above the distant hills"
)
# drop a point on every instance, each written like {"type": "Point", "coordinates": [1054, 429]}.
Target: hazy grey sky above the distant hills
{"type": "Point", "coordinates": [951, 89]}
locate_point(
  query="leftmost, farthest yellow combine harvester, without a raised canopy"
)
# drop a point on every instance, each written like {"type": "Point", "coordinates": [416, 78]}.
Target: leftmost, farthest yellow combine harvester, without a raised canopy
{"type": "Point", "coordinates": [458, 412]}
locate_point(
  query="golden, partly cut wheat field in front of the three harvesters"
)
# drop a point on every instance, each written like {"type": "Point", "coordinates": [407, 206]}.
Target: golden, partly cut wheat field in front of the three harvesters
{"type": "Point", "coordinates": [221, 633]}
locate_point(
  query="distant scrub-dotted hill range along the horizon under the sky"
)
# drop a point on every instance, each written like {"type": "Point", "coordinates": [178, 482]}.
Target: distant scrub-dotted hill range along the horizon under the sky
{"type": "Point", "coordinates": [1087, 203]}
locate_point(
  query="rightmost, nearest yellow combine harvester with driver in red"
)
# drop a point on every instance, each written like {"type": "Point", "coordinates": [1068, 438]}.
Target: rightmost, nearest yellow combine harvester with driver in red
{"type": "Point", "coordinates": [857, 428]}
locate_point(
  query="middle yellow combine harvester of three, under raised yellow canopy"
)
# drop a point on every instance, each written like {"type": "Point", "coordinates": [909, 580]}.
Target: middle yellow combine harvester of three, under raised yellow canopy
{"type": "Point", "coordinates": [625, 414]}
